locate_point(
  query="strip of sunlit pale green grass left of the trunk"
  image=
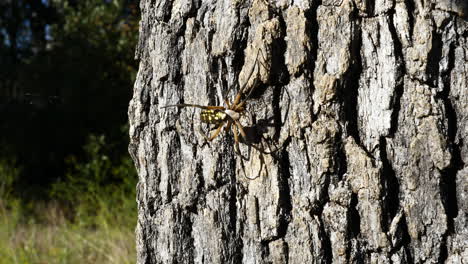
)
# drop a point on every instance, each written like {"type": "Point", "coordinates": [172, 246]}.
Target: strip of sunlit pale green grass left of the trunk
{"type": "Point", "coordinates": [52, 238]}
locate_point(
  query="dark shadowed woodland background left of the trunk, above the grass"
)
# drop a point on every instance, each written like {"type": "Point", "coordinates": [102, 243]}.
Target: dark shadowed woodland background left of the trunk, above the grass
{"type": "Point", "coordinates": [67, 70]}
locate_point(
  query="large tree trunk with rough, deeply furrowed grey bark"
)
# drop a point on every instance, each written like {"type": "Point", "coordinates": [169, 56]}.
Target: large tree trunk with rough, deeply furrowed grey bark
{"type": "Point", "coordinates": [365, 103]}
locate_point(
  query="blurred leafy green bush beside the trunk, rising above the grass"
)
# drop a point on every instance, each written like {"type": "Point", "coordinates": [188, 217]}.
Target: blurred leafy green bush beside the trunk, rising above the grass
{"type": "Point", "coordinates": [99, 186]}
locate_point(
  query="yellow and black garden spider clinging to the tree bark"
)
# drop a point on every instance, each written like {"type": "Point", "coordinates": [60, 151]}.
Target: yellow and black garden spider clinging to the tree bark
{"type": "Point", "coordinates": [229, 116]}
